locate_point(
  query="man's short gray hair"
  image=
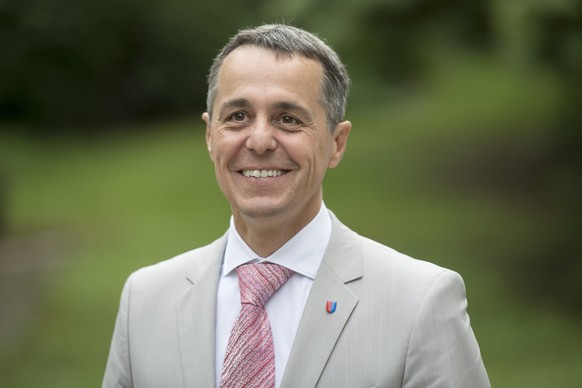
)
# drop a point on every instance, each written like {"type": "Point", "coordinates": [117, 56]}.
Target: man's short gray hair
{"type": "Point", "coordinates": [287, 40]}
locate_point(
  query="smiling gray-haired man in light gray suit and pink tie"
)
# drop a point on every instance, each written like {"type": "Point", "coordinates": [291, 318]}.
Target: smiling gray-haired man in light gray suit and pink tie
{"type": "Point", "coordinates": [341, 310]}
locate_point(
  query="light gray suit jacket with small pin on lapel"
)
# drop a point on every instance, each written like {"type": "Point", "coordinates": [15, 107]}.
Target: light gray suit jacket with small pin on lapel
{"type": "Point", "coordinates": [399, 322]}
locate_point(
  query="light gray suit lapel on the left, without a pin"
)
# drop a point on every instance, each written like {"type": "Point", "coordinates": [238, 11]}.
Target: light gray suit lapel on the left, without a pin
{"type": "Point", "coordinates": [196, 315]}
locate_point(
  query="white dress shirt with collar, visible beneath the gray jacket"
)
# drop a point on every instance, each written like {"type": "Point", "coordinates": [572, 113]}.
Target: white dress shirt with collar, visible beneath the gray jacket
{"type": "Point", "coordinates": [302, 254]}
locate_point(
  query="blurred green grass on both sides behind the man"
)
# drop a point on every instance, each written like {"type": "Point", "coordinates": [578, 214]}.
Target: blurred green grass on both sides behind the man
{"type": "Point", "coordinates": [134, 197]}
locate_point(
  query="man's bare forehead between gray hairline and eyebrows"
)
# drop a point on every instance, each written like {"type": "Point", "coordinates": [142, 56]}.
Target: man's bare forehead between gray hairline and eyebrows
{"type": "Point", "coordinates": [252, 71]}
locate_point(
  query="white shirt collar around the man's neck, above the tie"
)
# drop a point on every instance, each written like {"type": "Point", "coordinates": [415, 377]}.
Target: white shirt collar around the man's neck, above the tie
{"type": "Point", "coordinates": [302, 254]}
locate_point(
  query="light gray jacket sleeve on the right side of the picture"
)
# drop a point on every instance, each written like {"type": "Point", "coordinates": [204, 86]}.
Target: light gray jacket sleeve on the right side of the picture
{"type": "Point", "coordinates": [443, 351]}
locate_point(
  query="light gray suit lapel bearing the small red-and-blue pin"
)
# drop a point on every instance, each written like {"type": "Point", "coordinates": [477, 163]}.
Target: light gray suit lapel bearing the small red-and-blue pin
{"type": "Point", "coordinates": [319, 330]}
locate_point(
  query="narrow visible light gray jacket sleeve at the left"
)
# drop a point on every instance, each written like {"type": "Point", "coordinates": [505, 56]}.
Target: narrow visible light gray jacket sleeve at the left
{"type": "Point", "coordinates": [118, 369]}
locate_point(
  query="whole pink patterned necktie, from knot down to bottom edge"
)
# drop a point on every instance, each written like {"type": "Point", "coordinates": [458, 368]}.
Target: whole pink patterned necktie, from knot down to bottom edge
{"type": "Point", "coordinates": [250, 355]}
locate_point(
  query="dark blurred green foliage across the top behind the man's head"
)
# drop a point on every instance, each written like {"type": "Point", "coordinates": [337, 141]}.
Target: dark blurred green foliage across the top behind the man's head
{"type": "Point", "coordinates": [85, 63]}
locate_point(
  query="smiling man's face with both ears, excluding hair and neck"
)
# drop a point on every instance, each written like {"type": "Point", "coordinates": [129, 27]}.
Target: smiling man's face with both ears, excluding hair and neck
{"type": "Point", "coordinates": [268, 136]}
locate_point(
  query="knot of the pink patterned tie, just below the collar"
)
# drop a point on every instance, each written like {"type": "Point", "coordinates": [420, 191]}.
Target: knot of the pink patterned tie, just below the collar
{"type": "Point", "coordinates": [259, 281]}
